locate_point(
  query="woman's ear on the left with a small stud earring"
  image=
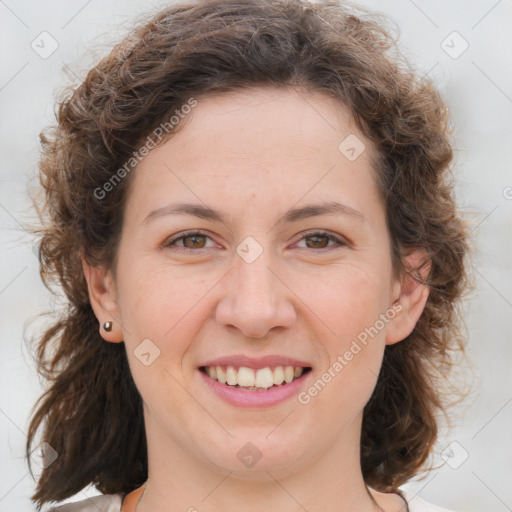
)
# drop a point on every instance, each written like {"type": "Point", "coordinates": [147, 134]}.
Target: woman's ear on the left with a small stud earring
{"type": "Point", "coordinates": [103, 298]}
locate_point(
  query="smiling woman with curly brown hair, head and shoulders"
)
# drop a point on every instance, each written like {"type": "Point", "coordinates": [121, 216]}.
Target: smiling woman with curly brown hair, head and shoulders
{"type": "Point", "coordinates": [247, 207]}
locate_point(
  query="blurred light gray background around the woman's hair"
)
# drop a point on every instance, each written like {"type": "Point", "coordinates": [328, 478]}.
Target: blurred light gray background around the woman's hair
{"type": "Point", "coordinates": [478, 88]}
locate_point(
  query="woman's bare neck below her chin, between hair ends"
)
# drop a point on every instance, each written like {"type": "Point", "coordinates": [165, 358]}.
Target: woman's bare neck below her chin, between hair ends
{"type": "Point", "coordinates": [330, 482]}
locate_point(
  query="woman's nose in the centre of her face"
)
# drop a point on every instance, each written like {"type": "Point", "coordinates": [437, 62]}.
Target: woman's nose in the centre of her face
{"type": "Point", "coordinates": [255, 300]}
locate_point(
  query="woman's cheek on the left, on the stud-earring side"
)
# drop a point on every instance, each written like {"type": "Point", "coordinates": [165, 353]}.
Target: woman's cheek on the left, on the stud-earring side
{"type": "Point", "coordinates": [160, 304]}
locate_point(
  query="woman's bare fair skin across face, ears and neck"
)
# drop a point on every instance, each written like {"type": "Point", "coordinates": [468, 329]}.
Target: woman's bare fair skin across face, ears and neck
{"type": "Point", "coordinates": [253, 155]}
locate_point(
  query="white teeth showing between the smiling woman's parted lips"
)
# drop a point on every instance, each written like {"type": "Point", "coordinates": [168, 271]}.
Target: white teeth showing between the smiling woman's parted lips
{"type": "Point", "coordinates": [251, 379]}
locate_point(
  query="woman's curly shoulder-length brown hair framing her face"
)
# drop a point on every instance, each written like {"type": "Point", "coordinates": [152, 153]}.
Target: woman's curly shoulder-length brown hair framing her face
{"type": "Point", "coordinates": [91, 410]}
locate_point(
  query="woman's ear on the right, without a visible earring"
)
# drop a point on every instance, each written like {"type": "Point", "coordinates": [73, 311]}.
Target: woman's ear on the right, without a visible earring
{"type": "Point", "coordinates": [410, 296]}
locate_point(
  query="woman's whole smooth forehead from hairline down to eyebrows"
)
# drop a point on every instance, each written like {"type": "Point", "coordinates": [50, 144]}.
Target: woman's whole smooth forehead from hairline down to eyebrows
{"type": "Point", "coordinates": [256, 147]}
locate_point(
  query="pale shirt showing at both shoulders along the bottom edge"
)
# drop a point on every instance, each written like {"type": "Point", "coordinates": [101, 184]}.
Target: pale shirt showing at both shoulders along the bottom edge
{"type": "Point", "coordinates": [112, 503]}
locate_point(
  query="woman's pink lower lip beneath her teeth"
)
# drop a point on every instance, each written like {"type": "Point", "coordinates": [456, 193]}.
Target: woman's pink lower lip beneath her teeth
{"type": "Point", "coordinates": [245, 398]}
